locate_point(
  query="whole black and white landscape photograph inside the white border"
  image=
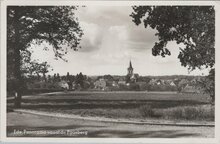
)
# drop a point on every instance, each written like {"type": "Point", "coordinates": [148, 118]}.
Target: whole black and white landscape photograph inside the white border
{"type": "Point", "coordinates": [110, 71]}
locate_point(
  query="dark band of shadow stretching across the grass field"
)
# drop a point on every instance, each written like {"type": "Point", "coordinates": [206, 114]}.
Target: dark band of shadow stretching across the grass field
{"type": "Point", "coordinates": [93, 104]}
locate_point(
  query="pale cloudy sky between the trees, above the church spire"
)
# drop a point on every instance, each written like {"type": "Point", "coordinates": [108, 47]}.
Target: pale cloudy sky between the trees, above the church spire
{"type": "Point", "coordinates": [109, 42]}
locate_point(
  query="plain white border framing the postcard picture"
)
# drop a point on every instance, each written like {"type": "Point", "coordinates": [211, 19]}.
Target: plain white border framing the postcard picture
{"type": "Point", "coordinates": [104, 140]}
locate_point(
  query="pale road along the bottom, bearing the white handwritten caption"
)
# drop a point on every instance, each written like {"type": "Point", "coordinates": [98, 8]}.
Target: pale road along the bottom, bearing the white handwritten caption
{"type": "Point", "coordinates": [21, 124]}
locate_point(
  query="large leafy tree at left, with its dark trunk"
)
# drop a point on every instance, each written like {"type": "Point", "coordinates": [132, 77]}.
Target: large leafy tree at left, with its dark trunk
{"type": "Point", "coordinates": [56, 25]}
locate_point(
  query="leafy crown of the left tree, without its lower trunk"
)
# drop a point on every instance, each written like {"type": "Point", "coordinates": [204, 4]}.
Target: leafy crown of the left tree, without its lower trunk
{"type": "Point", "coordinates": [54, 25]}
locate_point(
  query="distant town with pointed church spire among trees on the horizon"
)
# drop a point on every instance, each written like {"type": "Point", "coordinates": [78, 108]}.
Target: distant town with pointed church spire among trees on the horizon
{"type": "Point", "coordinates": [129, 82]}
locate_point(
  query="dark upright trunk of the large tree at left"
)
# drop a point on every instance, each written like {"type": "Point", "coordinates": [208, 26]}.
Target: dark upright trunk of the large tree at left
{"type": "Point", "coordinates": [17, 63]}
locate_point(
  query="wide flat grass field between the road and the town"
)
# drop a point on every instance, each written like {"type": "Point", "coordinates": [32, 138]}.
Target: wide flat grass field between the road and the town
{"type": "Point", "coordinates": [165, 105]}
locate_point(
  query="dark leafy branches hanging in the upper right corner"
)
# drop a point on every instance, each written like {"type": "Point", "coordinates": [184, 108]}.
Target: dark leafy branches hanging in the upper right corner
{"type": "Point", "coordinates": [193, 26]}
